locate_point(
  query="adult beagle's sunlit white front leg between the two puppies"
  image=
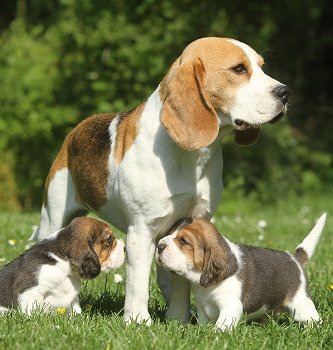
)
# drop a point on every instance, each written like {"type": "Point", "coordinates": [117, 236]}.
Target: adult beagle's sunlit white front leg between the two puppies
{"type": "Point", "coordinates": [140, 248]}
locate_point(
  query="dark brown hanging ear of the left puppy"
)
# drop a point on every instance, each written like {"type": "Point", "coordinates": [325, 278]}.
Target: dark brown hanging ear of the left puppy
{"type": "Point", "coordinates": [87, 263]}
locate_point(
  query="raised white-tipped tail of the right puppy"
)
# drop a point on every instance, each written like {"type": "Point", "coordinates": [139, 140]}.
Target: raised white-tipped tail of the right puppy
{"type": "Point", "coordinates": [305, 250]}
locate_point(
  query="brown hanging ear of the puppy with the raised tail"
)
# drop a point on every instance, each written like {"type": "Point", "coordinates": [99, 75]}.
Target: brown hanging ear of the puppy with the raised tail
{"type": "Point", "coordinates": [215, 268]}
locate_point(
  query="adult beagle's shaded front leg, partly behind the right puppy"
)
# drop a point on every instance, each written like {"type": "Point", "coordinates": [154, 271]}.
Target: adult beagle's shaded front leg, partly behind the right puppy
{"type": "Point", "coordinates": [179, 299]}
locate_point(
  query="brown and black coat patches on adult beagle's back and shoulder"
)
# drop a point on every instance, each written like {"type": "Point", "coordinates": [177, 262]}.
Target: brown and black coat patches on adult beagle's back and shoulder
{"type": "Point", "coordinates": [85, 152]}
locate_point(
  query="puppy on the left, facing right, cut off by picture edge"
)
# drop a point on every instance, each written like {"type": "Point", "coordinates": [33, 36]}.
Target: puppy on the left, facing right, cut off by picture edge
{"type": "Point", "coordinates": [47, 276]}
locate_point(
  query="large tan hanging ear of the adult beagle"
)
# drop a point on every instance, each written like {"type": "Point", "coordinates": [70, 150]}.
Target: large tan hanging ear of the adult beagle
{"type": "Point", "coordinates": [188, 115]}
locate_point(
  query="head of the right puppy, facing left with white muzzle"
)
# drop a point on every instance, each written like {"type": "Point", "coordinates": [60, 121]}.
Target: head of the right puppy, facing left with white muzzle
{"type": "Point", "coordinates": [197, 251]}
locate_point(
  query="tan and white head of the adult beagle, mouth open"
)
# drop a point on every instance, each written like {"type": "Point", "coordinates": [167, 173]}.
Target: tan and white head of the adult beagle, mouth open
{"type": "Point", "coordinates": [218, 81]}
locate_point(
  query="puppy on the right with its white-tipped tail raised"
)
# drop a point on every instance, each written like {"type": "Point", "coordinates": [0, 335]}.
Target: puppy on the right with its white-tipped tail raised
{"type": "Point", "coordinates": [229, 279]}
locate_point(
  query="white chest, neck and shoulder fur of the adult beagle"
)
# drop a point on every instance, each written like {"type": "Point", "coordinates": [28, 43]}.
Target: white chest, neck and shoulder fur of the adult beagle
{"type": "Point", "coordinates": [159, 182]}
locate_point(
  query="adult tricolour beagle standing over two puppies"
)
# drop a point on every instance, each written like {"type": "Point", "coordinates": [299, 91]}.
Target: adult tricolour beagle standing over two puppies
{"type": "Point", "coordinates": [145, 169]}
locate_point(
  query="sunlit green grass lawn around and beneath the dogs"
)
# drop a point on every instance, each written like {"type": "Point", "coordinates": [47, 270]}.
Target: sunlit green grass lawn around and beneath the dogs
{"type": "Point", "coordinates": [101, 325]}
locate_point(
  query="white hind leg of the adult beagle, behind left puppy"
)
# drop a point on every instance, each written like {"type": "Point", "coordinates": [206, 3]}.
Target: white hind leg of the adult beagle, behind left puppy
{"type": "Point", "coordinates": [60, 205]}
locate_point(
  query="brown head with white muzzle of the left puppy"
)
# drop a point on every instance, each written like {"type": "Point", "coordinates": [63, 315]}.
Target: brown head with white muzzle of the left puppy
{"type": "Point", "coordinates": [91, 247]}
